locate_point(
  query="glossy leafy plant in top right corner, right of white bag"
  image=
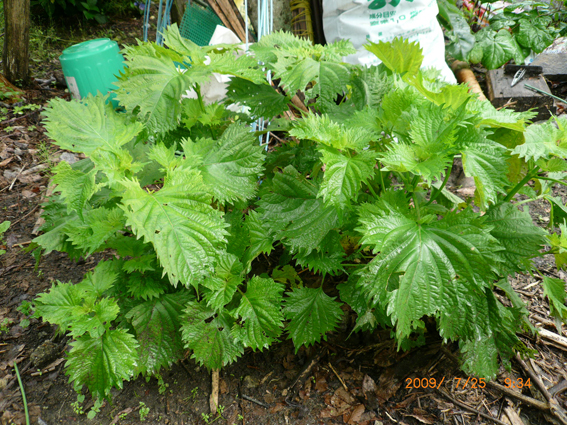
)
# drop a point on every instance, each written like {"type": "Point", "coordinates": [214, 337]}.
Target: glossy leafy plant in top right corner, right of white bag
{"type": "Point", "coordinates": [508, 36]}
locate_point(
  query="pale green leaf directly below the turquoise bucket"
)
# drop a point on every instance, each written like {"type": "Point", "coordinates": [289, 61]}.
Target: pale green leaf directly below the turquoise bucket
{"type": "Point", "coordinates": [88, 125]}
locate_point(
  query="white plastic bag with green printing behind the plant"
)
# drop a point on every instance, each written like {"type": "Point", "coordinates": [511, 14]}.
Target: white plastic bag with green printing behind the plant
{"type": "Point", "coordinates": [383, 20]}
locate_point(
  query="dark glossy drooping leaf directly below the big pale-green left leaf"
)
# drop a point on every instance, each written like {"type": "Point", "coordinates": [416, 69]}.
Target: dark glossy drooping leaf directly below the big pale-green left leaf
{"type": "Point", "coordinates": [157, 324]}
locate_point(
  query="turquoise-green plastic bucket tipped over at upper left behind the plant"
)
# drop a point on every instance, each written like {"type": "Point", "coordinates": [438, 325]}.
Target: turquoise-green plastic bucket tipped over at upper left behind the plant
{"type": "Point", "coordinates": [91, 67]}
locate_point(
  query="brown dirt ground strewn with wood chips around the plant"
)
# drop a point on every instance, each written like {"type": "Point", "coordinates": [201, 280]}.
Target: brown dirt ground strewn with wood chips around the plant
{"type": "Point", "coordinates": [351, 379]}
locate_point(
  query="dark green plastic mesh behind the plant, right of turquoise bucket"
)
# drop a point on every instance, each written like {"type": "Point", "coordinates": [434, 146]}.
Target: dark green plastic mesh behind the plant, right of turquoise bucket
{"type": "Point", "coordinates": [198, 24]}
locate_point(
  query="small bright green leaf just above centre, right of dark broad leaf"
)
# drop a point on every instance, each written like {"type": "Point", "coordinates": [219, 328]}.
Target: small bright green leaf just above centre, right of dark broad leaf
{"type": "Point", "coordinates": [344, 175]}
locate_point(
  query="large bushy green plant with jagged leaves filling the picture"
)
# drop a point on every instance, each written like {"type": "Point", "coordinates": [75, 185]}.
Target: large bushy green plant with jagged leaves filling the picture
{"type": "Point", "coordinates": [187, 201]}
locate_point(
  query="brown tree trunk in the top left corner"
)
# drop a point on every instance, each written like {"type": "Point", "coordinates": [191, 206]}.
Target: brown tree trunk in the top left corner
{"type": "Point", "coordinates": [15, 57]}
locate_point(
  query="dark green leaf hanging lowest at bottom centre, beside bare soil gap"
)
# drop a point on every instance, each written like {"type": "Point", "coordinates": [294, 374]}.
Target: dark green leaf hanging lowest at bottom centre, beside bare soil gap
{"type": "Point", "coordinates": [311, 313]}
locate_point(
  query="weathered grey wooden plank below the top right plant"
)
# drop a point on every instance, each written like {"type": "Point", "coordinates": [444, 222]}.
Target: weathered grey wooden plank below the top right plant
{"type": "Point", "coordinates": [518, 97]}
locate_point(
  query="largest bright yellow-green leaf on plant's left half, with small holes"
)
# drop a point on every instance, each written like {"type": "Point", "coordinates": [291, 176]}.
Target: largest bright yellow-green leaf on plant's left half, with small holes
{"type": "Point", "coordinates": [186, 232]}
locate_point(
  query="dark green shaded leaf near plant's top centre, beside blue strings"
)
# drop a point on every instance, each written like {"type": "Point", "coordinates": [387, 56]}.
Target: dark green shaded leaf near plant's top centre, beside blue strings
{"type": "Point", "coordinates": [262, 99]}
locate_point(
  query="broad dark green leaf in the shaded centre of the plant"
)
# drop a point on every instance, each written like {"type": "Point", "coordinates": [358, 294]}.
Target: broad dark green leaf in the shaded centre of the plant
{"type": "Point", "coordinates": [293, 211]}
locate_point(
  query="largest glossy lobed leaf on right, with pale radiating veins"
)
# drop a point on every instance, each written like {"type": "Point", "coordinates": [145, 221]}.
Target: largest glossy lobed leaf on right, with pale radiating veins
{"type": "Point", "coordinates": [418, 263]}
